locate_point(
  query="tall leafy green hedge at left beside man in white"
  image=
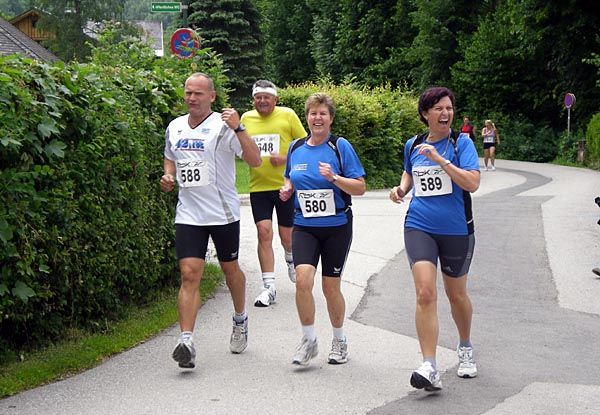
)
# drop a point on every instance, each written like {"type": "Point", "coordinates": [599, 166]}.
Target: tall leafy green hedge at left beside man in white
{"type": "Point", "coordinates": [84, 228]}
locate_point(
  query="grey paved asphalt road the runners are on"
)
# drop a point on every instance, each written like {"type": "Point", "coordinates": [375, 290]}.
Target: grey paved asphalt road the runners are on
{"type": "Point", "coordinates": [535, 329]}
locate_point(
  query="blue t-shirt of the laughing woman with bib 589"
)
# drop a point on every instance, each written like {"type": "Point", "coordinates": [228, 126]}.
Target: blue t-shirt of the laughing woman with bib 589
{"type": "Point", "coordinates": [444, 214]}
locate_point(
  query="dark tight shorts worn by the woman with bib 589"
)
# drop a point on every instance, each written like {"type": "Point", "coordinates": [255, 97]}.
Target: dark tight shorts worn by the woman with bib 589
{"type": "Point", "coordinates": [454, 252]}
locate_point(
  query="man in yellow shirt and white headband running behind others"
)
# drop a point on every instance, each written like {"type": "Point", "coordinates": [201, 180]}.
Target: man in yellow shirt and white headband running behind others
{"type": "Point", "coordinates": [273, 128]}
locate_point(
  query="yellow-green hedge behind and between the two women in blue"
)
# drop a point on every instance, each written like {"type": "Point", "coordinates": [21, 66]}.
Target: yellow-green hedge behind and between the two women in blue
{"type": "Point", "coordinates": [376, 121]}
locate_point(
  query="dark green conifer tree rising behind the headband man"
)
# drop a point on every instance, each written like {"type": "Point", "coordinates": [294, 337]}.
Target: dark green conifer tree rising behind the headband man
{"type": "Point", "coordinates": [231, 28]}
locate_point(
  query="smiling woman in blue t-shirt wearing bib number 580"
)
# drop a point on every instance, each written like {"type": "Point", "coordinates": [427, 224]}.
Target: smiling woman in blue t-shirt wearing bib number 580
{"type": "Point", "coordinates": [323, 171]}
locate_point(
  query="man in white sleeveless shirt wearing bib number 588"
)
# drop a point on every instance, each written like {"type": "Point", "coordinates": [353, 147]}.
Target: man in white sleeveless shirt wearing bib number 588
{"type": "Point", "coordinates": [200, 153]}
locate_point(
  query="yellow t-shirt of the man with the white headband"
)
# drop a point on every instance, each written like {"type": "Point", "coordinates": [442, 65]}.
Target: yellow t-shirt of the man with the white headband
{"type": "Point", "coordinates": [273, 133]}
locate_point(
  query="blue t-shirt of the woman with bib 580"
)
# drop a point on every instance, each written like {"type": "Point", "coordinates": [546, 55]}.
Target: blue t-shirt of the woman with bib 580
{"type": "Point", "coordinates": [302, 168]}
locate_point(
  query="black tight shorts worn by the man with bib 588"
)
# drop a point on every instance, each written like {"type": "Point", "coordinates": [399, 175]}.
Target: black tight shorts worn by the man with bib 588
{"type": "Point", "coordinates": [191, 241]}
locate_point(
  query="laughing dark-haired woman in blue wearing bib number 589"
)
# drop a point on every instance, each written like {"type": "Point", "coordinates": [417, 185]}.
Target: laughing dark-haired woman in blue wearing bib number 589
{"type": "Point", "coordinates": [441, 173]}
